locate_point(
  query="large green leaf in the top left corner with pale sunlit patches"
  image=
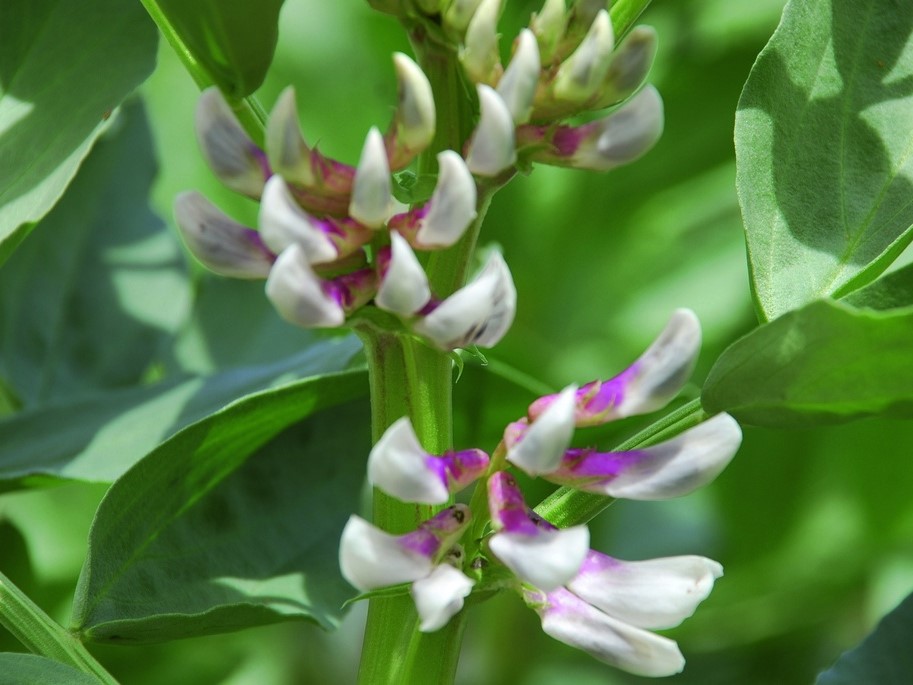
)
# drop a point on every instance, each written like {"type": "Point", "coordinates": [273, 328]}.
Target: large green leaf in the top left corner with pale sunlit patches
{"type": "Point", "coordinates": [64, 67]}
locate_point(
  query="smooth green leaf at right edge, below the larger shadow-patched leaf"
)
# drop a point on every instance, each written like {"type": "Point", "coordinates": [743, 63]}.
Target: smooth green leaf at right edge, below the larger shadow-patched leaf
{"type": "Point", "coordinates": [823, 363]}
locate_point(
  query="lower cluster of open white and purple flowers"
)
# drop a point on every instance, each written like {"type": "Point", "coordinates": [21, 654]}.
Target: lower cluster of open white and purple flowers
{"type": "Point", "coordinates": [602, 605]}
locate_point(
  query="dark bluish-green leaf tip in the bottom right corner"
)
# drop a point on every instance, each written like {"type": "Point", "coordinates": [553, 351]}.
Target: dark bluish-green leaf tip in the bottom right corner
{"type": "Point", "coordinates": [883, 658]}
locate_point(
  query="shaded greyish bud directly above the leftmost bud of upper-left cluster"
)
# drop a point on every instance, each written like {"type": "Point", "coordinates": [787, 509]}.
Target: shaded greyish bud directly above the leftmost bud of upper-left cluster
{"type": "Point", "coordinates": [231, 154]}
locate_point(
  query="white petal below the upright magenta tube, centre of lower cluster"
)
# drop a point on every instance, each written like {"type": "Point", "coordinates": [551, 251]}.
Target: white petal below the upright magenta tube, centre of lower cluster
{"type": "Point", "coordinates": [548, 559]}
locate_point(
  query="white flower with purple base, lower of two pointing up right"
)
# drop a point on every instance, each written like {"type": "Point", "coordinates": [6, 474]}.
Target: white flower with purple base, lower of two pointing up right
{"type": "Point", "coordinates": [670, 469]}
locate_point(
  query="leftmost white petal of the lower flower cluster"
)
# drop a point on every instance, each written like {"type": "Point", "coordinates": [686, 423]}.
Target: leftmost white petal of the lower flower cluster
{"type": "Point", "coordinates": [370, 558]}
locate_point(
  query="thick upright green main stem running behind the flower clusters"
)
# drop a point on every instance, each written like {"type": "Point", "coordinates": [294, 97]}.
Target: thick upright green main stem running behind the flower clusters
{"type": "Point", "coordinates": [409, 378]}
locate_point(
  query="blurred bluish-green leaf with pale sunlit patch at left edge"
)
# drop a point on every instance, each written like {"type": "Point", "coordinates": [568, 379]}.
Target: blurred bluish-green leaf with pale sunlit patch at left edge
{"type": "Point", "coordinates": [94, 295]}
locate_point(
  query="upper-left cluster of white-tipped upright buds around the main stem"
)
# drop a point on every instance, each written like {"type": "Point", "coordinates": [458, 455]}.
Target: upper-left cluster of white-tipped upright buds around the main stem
{"type": "Point", "coordinates": [332, 239]}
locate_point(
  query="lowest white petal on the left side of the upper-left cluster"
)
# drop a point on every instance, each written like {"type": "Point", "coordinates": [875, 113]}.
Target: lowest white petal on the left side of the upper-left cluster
{"type": "Point", "coordinates": [297, 292]}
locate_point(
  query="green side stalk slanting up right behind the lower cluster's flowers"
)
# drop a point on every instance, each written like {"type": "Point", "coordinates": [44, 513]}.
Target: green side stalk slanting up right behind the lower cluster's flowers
{"type": "Point", "coordinates": [570, 507]}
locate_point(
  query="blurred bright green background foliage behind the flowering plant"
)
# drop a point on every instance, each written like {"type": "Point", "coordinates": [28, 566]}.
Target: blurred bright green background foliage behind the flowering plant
{"type": "Point", "coordinates": [813, 527]}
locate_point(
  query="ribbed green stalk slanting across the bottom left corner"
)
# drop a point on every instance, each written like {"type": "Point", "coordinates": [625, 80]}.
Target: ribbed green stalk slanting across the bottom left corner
{"type": "Point", "coordinates": [43, 635]}
